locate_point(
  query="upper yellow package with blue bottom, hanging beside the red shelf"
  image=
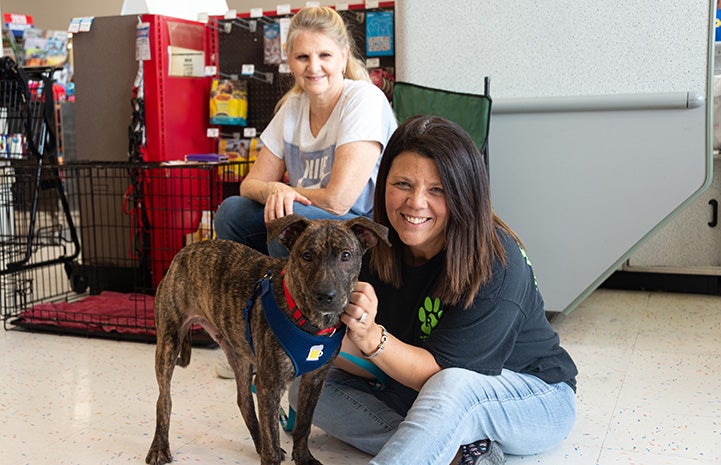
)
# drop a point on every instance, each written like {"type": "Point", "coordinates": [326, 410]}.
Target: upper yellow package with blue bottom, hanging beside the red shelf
{"type": "Point", "coordinates": [229, 102]}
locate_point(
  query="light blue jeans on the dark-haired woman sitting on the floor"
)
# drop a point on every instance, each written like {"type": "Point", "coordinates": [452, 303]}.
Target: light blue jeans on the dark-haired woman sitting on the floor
{"type": "Point", "coordinates": [522, 413]}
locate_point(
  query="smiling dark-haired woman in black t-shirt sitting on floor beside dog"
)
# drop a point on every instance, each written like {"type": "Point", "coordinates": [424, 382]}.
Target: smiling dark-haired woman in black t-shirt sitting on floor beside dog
{"type": "Point", "coordinates": [453, 359]}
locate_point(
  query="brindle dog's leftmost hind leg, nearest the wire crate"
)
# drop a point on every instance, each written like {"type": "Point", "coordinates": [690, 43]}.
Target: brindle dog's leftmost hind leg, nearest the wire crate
{"type": "Point", "coordinates": [166, 354]}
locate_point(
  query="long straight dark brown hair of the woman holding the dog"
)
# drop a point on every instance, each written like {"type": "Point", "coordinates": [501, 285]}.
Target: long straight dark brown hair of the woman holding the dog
{"type": "Point", "coordinates": [472, 243]}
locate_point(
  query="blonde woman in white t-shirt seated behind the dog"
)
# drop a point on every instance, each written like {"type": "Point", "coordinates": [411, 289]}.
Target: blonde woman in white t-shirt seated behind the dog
{"type": "Point", "coordinates": [328, 134]}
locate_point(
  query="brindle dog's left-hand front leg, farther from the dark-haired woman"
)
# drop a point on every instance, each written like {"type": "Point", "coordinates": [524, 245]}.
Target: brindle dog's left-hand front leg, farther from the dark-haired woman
{"type": "Point", "coordinates": [269, 389]}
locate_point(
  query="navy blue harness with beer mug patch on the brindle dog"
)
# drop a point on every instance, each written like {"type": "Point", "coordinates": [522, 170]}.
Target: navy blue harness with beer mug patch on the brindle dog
{"type": "Point", "coordinates": [307, 351]}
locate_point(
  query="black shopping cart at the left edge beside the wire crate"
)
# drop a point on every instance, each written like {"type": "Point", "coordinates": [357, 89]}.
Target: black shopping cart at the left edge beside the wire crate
{"type": "Point", "coordinates": [36, 225]}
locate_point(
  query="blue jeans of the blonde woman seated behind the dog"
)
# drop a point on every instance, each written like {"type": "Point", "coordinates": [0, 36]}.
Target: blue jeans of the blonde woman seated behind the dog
{"type": "Point", "coordinates": [241, 220]}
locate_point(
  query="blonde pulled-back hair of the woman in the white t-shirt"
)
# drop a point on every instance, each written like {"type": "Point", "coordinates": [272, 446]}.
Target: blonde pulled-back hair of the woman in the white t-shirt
{"type": "Point", "coordinates": [325, 20]}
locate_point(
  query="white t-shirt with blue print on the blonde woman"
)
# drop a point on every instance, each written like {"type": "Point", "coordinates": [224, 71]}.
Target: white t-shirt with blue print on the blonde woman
{"type": "Point", "coordinates": [362, 114]}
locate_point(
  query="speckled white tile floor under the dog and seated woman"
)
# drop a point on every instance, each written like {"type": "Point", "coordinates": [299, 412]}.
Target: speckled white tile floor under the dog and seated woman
{"type": "Point", "coordinates": [649, 393]}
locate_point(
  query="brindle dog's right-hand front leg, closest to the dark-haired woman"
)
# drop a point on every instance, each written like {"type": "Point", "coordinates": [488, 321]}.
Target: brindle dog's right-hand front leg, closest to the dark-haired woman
{"type": "Point", "coordinates": [309, 391]}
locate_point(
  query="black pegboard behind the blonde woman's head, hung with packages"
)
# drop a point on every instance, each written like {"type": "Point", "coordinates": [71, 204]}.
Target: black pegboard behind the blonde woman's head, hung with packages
{"type": "Point", "coordinates": [242, 44]}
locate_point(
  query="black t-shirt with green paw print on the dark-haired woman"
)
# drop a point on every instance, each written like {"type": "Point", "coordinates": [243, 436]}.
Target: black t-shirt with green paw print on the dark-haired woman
{"type": "Point", "coordinates": [506, 326]}
